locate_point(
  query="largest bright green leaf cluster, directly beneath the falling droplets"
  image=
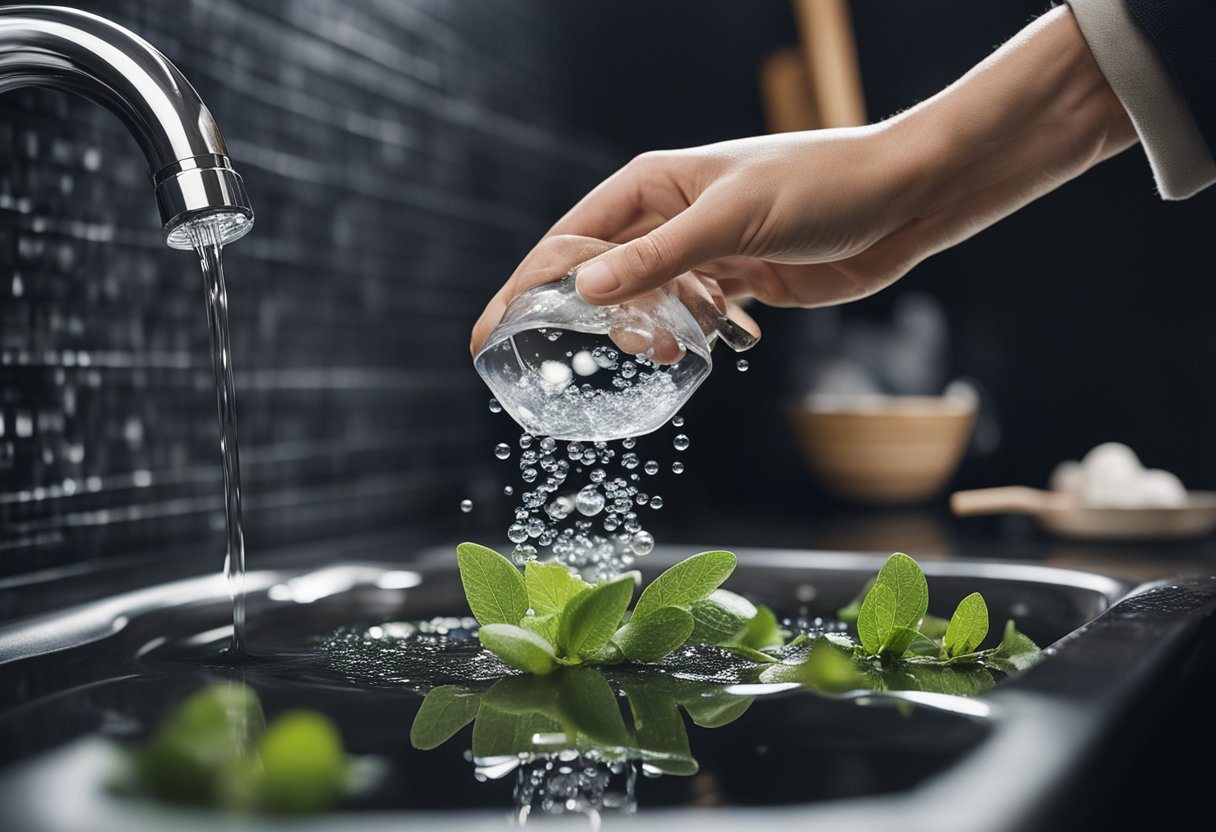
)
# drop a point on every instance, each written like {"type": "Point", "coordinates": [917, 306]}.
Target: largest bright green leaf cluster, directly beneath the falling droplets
{"type": "Point", "coordinates": [549, 617]}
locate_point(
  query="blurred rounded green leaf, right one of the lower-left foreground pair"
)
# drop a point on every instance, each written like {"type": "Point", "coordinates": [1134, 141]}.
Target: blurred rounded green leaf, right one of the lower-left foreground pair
{"type": "Point", "coordinates": [305, 767]}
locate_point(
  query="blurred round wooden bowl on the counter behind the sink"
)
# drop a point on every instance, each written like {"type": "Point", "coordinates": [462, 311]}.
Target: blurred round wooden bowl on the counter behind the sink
{"type": "Point", "coordinates": [896, 449]}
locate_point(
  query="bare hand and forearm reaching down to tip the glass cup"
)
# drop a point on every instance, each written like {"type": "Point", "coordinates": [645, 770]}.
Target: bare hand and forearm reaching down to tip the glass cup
{"type": "Point", "coordinates": [817, 218]}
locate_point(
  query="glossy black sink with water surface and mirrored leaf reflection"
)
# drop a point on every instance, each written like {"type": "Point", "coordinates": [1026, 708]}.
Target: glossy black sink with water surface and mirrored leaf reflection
{"type": "Point", "coordinates": [83, 685]}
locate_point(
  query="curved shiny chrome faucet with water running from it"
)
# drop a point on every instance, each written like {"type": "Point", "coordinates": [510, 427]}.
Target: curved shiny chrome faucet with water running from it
{"type": "Point", "coordinates": [80, 53]}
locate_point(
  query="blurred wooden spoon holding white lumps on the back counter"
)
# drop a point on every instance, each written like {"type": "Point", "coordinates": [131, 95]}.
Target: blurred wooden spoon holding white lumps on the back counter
{"type": "Point", "coordinates": [1061, 515]}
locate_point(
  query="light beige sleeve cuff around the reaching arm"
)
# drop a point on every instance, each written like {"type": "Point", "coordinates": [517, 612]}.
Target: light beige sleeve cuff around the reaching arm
{"type": "Point", "coordinates": [1176, 151]}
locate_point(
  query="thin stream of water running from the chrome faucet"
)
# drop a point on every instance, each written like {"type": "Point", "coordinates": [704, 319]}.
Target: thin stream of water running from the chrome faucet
{"type": "Point", "coordinates": [206, 238]}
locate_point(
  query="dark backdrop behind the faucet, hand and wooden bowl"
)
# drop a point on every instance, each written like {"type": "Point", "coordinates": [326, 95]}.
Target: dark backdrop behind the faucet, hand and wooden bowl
{"type": "Point", "coordinates": [402, 158]}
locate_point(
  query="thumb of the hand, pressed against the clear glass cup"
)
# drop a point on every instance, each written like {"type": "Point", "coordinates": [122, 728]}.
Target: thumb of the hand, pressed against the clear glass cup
{"type": "Point", "coordinates": [680, 245]}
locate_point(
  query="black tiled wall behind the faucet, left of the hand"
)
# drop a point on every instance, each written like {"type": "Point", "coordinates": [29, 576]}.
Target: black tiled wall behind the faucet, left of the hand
{"type": "Point", "coordinates": [401, 156]}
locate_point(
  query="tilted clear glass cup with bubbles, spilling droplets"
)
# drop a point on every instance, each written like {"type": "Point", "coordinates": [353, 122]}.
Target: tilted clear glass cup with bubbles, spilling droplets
{"type": "Point", "coordinates": [567, 369]}
